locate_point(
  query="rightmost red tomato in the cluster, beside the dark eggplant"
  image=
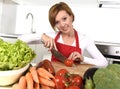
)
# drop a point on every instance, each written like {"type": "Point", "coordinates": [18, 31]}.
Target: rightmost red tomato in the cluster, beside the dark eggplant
{"type": "Point", "coordinates": [76, 80]}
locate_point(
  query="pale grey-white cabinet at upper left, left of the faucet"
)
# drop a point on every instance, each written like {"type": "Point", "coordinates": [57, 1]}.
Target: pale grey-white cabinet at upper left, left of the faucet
{"type": "Point", "coordinates": [7, 17]}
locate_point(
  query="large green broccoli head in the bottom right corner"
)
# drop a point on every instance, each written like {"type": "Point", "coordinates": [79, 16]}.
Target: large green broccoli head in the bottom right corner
{"type": "Point", "coordinates": [107, 78]}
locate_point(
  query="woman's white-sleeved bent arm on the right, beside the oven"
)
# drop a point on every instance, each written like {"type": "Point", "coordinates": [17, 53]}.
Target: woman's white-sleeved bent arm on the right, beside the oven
{"type": "Point", "coordinates": [97, 58]}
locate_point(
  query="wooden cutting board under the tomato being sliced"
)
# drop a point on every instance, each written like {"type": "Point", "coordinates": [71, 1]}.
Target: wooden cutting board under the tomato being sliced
{"type": "Point", "coordinates": [78, 69]}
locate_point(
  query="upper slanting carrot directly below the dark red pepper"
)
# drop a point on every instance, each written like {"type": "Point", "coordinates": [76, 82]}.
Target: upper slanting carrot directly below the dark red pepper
{"type": "Point", "coordinates": [44, 73]}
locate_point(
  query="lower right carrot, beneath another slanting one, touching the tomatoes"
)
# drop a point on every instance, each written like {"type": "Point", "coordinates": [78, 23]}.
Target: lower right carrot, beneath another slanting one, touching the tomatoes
{"type": "Point", "coordinates": [46, 82]}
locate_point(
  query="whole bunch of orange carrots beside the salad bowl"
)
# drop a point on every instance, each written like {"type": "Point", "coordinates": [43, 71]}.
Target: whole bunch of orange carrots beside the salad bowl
{"type": "Point", "coordinates": [36, 78]}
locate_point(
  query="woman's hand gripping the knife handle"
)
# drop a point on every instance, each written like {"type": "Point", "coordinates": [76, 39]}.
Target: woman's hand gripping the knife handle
{"type": "Point", "coordinates": [48, 42]}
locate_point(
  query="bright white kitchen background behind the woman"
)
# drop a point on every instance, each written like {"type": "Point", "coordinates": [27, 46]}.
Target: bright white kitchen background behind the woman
{"type": "Point", "coordinates": [91, 18]}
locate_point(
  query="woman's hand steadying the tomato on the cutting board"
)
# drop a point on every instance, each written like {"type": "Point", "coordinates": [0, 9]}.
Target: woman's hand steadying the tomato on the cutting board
{"type": "Point", "coordinates": [75, 56]}
